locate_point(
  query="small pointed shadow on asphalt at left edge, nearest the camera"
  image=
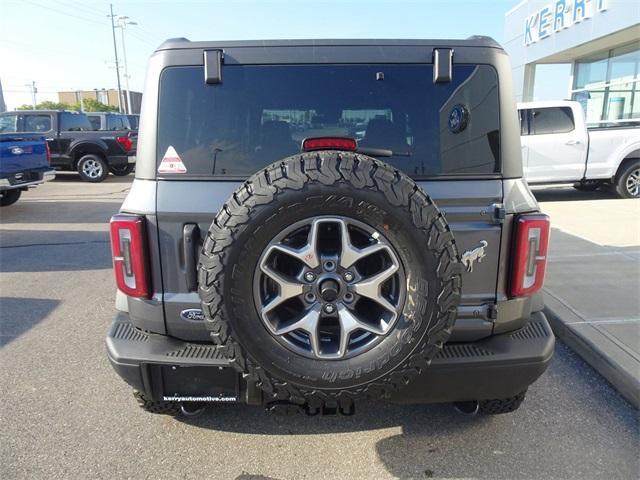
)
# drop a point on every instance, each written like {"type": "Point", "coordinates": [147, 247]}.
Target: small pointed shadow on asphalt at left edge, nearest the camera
{"type": "Point", "coordinates": [19, 315]}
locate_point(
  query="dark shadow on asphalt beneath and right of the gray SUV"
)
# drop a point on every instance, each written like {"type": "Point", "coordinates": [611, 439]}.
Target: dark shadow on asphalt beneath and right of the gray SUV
{"type": "Point", "coordinates": [546, 438]}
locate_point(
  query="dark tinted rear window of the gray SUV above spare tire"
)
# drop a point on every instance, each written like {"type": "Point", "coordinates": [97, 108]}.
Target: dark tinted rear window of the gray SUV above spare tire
{"type": "Point", "coordinates": [260, 114]}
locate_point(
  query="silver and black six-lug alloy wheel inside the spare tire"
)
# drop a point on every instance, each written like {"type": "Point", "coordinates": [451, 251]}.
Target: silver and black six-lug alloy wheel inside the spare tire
{"type": "Point", "coordinates": [329, 287]}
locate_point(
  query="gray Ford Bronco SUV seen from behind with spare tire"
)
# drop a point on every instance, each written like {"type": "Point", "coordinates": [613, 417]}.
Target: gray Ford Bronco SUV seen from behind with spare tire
{"type": "Point", "coordinates": [317, 223]}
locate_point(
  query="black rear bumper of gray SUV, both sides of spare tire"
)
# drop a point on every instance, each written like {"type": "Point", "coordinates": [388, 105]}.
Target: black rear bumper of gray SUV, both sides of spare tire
{"type": "Point", "coordinates": [166, 368]}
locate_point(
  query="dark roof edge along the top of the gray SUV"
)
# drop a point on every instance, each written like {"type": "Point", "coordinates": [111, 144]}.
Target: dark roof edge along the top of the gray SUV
{"type": "Point", "coordinates": [183, 43]}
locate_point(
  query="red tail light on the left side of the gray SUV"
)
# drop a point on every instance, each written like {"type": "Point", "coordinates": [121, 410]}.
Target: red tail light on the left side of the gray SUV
{"type": "Point", "coordinates": [129, 249]}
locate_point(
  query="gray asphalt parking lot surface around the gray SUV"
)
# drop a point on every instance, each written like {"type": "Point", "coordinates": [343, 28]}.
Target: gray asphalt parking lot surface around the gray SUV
{"type": "Point", "coordinates": [67, 415]}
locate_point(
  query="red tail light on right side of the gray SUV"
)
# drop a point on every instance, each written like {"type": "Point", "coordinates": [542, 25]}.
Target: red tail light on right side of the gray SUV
{"type": "Point", "coordinates": [530, 254]}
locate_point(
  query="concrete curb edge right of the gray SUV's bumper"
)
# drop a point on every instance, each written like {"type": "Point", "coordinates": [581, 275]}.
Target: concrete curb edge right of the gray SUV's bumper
{"type": "Point", "coordinates": [596, 348]}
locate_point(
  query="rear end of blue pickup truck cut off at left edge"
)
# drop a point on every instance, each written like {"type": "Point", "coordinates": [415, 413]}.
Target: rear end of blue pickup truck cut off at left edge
{"type": "Point", "coordinates": [24, 163]}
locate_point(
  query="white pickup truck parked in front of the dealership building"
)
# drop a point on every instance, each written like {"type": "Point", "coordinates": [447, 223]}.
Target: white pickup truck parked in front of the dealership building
{"type": "Point", "coordinates": [558, 148]}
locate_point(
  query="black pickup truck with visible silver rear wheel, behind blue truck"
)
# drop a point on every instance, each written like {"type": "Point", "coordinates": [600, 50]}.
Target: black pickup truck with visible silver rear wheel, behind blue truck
{"type": "Point", "coordinates": [73, 143]}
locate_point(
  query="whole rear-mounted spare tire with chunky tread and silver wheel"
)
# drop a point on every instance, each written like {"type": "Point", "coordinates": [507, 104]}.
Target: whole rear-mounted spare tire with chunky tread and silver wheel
{"type": "Point", "coordinates": [329, 276]}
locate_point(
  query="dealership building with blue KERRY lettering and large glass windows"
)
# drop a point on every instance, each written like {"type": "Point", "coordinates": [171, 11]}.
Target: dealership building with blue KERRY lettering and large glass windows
{"type": "Point", "coordinates": [599, 39]}
